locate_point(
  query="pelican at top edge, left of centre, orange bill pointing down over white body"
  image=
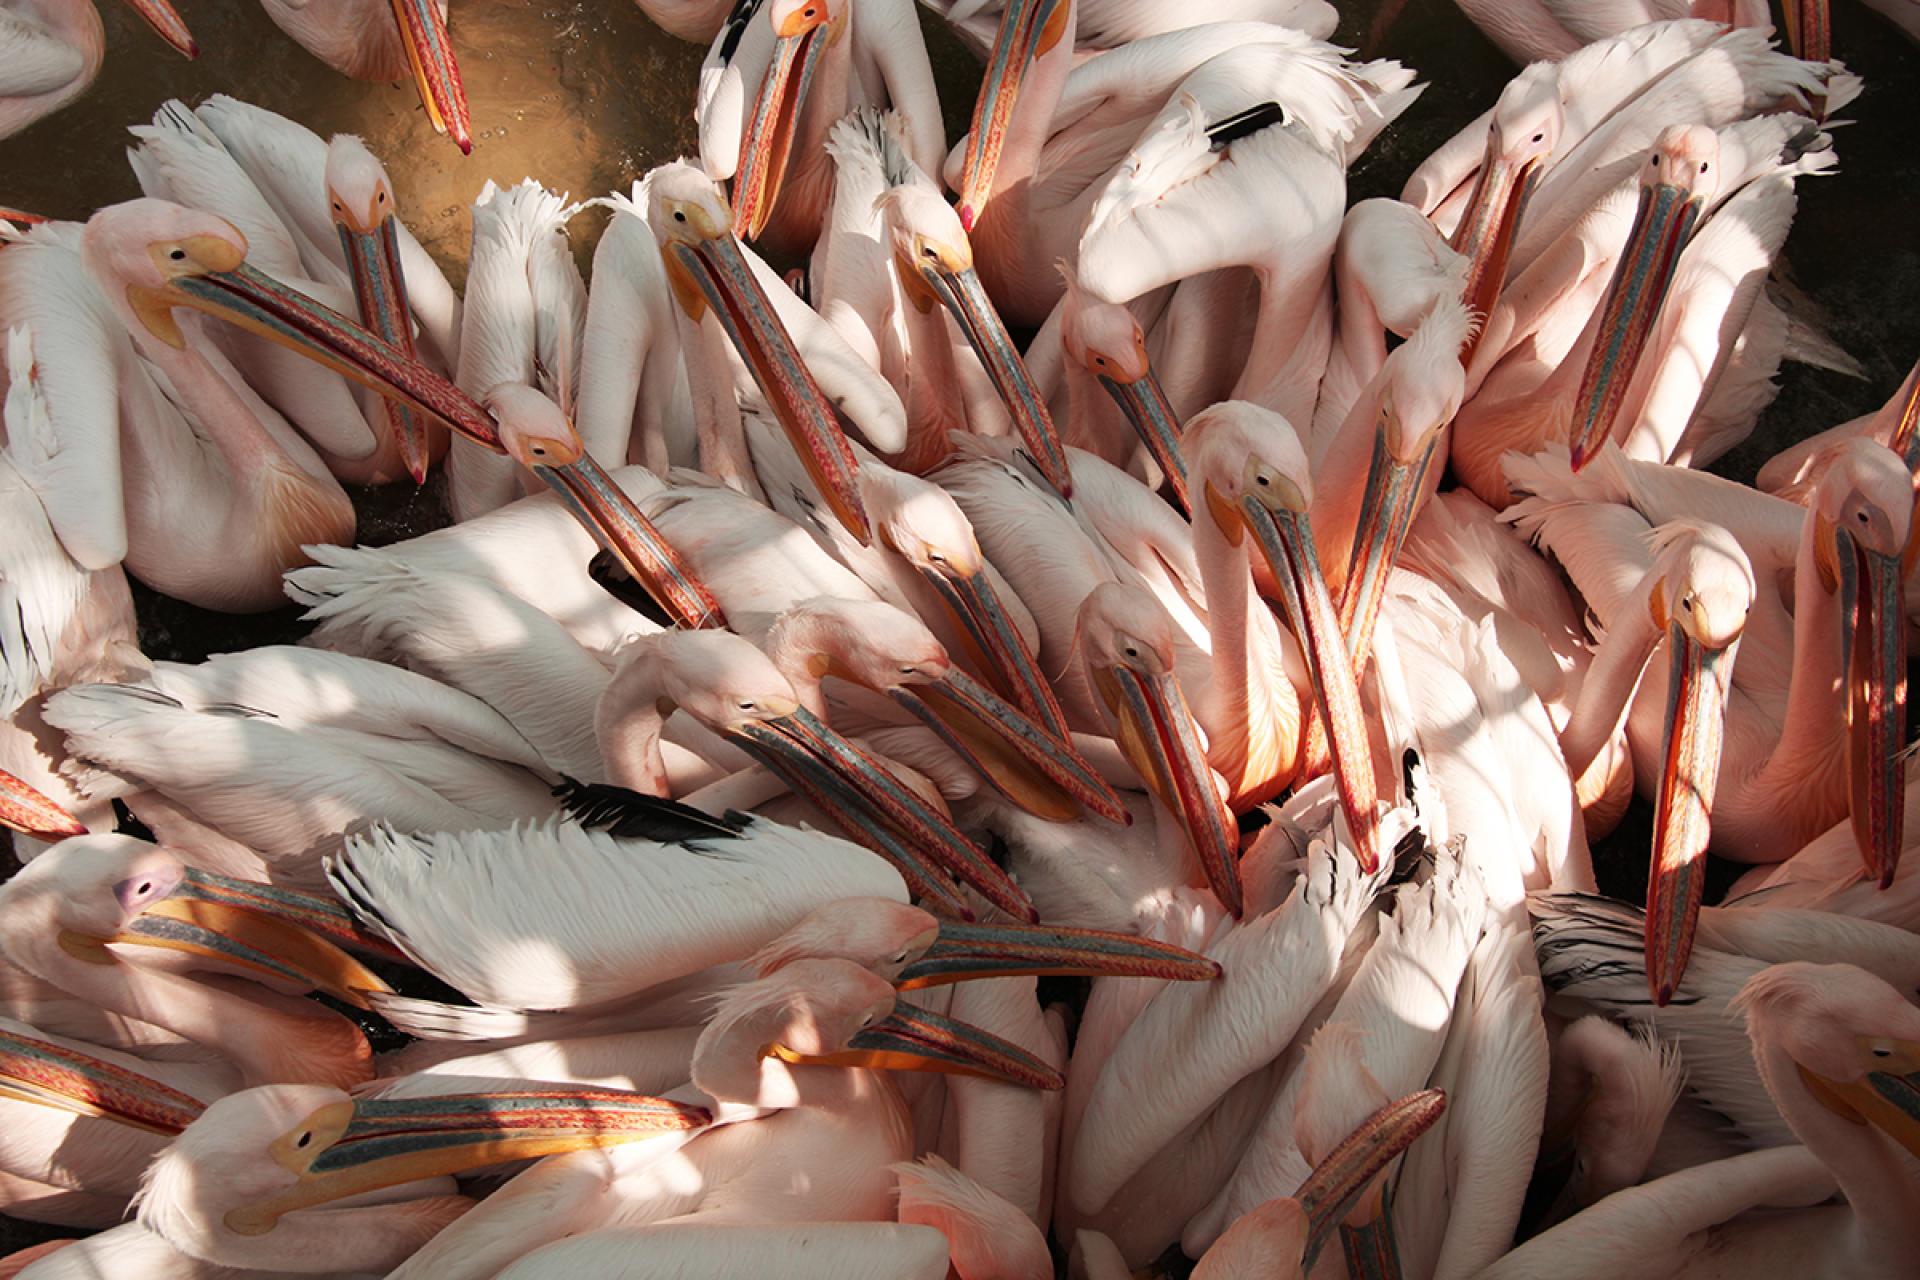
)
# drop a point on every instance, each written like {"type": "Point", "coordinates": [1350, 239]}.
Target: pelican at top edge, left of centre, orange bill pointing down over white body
{"type": "Point", "coordinates": [777, 82]}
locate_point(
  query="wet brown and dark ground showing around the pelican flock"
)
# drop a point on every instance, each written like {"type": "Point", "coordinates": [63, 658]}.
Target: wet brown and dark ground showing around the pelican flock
{"type": "Point", "coordinates": [587, 95]}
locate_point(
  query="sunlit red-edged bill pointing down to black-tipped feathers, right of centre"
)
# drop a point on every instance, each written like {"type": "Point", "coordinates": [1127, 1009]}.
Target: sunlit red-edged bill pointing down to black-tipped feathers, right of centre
{"type": "Point", "coordinates": [1285, 540]}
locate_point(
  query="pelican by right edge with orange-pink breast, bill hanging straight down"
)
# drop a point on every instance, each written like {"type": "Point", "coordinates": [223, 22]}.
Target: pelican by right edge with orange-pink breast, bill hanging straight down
{"type": "Point", "coordinates": [1823, 732]}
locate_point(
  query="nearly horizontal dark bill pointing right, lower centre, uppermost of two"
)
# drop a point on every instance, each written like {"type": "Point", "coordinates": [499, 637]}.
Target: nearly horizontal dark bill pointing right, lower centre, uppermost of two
{"type": "Point", "coordinates": [963, 953]}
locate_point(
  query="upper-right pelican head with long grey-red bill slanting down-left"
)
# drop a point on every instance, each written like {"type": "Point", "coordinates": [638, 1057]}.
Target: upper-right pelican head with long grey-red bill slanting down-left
{"type": "Point", "coordinates": [1681, 176]}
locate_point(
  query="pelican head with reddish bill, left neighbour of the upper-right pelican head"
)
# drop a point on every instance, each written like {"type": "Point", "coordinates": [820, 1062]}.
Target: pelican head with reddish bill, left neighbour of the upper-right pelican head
{"type": "Point", "coordinates": [1520, 143]}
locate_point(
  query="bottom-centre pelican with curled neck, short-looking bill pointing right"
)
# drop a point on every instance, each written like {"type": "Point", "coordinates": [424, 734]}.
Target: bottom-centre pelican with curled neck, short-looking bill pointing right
{"type": "Point", "coordinates": [807, 1056]}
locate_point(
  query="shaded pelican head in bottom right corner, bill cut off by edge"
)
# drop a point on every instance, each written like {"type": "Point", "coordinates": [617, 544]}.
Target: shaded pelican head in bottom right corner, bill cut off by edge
{"type": "Point", "coordinates": [1852, 1039]}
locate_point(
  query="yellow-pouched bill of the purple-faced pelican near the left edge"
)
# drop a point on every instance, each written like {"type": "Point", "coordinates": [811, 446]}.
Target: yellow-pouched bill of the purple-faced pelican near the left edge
{"type": "Point", "coordinates": [247, 934]}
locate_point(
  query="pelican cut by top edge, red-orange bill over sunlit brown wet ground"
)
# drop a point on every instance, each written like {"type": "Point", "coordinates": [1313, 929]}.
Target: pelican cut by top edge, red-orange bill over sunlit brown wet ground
{"type": "Point", "coordinates": [385, 41]}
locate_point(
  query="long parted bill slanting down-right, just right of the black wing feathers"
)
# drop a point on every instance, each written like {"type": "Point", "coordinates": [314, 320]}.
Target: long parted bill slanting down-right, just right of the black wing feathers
{"type": "Point", "coordinates": [876, 811]}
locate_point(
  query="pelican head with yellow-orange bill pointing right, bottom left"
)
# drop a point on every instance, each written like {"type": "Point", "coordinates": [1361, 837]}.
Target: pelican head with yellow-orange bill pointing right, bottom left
{"type": "Point", "coordinates": [258, 1162]}
